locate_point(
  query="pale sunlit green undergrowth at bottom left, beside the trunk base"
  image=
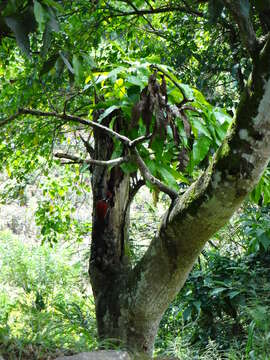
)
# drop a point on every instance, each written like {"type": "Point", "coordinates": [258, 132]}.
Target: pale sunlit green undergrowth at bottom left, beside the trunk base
{"type": "Point", "coordinates": [44, 301]}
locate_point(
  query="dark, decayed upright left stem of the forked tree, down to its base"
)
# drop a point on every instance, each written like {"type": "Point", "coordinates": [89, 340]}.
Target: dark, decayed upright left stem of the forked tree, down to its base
{"type": "Point", "coordinates": [110, 271]}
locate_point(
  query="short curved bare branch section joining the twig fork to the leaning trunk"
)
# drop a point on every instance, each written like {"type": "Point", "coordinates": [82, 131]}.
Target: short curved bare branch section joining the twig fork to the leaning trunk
{"type": "Point", "coordinates": [149, 177]}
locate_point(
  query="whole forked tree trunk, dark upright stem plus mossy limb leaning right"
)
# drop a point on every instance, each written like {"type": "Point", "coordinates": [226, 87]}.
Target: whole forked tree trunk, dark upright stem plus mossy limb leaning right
{"type": "Point", "coordinates": [131, 302]}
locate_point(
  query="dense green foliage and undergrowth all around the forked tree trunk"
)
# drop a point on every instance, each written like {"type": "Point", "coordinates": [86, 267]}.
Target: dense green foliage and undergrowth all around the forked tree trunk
{"type": "Point", "coordinates": [167, 76]}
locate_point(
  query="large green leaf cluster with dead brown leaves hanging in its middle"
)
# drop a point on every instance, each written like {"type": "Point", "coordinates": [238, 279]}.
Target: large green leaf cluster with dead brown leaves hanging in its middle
{"type": "Point", "coordinates": [181, 135]}
